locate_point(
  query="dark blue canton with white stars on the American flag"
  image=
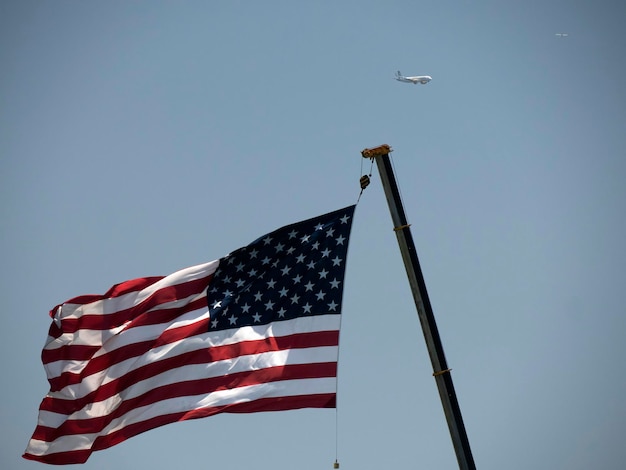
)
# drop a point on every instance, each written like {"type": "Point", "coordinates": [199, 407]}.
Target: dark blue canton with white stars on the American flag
{"type": "Point", "coordinates": [295, 271]}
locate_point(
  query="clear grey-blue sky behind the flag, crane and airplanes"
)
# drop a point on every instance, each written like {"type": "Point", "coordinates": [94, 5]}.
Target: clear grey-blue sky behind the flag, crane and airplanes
{"type": "Point", "coordinates": [138, 138]}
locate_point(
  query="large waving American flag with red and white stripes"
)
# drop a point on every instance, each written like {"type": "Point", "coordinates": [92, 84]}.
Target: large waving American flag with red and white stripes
{"type": "Point", "coordinates": [257, 330]}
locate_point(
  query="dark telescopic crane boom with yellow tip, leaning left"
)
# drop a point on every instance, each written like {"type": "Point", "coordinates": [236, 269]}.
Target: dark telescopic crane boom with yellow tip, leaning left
{"type": "Point", "coordinates": [441, 372]}
